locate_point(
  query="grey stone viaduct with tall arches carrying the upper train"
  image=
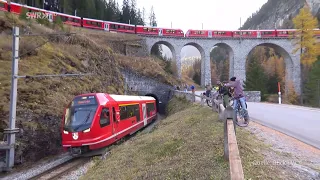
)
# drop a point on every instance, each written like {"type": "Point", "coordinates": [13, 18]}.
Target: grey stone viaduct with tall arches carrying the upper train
{"type": "Point", "coordinates": [238, 50]}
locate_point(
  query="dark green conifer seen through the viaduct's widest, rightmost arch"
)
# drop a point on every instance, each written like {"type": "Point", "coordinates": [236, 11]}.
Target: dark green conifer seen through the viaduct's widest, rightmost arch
{"type": "Point", "coordinates": [256, 78]}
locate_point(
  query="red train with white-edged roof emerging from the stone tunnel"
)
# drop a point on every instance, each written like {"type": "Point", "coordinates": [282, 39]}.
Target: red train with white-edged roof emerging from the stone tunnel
{"type": "Point", "coordinates": [96, 120]}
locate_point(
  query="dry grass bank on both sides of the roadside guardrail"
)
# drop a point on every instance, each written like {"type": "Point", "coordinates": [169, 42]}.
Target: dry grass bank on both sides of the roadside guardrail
{"type": "Point", "coordinates": [188, 144]}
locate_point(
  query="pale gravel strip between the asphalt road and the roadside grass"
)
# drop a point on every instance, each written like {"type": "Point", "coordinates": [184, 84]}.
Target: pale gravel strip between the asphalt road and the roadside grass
{"type": "Point", "coordinates": [294, 157]}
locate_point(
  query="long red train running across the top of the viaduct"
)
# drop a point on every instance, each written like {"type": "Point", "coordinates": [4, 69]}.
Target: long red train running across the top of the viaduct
{"type": "Point", "coordinates": [137, 29]}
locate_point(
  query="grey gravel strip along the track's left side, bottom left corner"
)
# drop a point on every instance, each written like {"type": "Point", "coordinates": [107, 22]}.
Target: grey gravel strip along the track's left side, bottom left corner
{"type": "Point", "coordinates": [40, 168]}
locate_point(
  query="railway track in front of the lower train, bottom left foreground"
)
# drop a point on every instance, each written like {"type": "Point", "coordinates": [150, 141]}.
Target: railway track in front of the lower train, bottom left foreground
{"type": "Point", "coordinates": [62, 169]}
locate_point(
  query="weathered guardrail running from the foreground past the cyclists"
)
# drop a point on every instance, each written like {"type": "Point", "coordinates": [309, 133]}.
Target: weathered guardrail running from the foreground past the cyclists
{"type": "Point", "coordinates": [231, 151]}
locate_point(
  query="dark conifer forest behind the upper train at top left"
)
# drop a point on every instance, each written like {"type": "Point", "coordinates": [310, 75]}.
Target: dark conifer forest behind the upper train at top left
{"type": "Point", "coordinates": [108, 10]}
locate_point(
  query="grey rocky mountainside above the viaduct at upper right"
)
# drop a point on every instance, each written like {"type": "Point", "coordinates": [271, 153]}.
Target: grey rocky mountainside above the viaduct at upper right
{"type": "Point", "coordinates": [279, 14]}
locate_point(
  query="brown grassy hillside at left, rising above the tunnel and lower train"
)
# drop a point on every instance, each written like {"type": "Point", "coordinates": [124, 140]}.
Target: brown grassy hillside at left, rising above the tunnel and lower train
{"type": "Point", "coordinates": [41, 101]}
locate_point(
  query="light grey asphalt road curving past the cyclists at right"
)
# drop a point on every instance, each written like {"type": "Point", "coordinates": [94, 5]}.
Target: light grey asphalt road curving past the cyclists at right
{"type": "Point", "coordinates": [302, 123]}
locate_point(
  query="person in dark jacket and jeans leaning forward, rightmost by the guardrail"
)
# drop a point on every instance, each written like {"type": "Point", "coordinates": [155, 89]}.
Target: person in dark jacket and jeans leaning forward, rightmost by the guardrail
{"type": "Point", "coordinates": [238, 95]}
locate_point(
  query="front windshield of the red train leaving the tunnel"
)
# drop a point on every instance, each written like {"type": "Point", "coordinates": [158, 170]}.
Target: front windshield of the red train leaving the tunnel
{"type": "Point", "coordinates": [79, 115]}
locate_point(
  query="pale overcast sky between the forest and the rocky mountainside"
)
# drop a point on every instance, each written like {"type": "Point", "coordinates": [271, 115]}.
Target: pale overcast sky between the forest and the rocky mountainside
{"type": "Point", "coordinates": [214, 14]}
